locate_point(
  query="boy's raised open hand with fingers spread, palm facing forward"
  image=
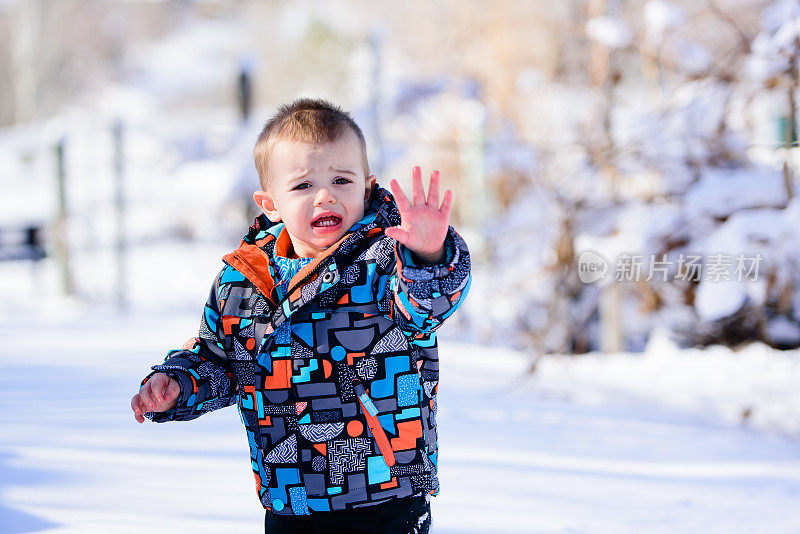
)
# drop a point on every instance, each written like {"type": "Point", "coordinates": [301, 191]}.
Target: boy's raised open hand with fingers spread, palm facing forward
{"type": "Point", "coordinates": [424, 223]}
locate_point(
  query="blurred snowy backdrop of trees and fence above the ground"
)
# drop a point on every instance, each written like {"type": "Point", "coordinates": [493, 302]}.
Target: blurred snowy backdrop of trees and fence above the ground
{"type": "Point", "coordinates": [652, 128]}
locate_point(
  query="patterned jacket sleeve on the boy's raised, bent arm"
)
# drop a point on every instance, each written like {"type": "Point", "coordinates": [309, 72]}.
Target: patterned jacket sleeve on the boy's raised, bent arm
{"type": "Point", "coordinates": [420, 296]}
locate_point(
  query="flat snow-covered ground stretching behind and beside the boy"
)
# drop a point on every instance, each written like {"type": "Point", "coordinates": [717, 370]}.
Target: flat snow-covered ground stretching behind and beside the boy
{"type": "Point", "coordinates": [570, 451]}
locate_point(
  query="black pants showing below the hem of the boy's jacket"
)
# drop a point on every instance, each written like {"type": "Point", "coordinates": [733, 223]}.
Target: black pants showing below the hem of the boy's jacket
{"type": "Point", "coordinates": [409, 515]}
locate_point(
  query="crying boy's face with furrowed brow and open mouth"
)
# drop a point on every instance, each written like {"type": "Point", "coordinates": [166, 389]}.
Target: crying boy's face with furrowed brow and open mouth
{"type": "Point", "coordinates": [318, 190]}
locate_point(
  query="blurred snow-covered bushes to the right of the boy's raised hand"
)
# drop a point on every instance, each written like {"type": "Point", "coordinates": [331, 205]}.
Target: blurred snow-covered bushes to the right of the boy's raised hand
{"type": "Point", "coordinates": [664, 162]}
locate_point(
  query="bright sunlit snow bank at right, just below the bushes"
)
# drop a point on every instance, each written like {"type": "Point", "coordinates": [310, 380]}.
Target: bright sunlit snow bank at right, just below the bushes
{"type": "Point", "coordinates": [748, 388]}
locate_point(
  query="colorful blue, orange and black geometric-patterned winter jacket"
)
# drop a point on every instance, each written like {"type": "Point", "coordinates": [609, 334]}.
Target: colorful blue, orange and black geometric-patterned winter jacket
{"type": "Point", "coordinates": [339, 408]}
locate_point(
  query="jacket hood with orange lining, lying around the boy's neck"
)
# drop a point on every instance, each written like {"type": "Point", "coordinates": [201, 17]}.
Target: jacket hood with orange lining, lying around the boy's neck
{"type": "Point", "coordinates": [265, 237]}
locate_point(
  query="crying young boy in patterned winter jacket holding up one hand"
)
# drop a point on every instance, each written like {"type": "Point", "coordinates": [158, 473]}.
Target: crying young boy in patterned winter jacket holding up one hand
{"type": "Point", "coordinates": [321, 328]}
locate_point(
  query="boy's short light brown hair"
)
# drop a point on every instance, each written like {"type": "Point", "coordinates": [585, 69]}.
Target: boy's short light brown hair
{"type": "Point", "coordinates": [305, 120]}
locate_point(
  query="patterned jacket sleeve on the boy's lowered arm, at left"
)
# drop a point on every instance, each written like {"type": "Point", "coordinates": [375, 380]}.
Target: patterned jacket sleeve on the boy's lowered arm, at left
{"type": "Point", "coordinates": [201, 368]}
